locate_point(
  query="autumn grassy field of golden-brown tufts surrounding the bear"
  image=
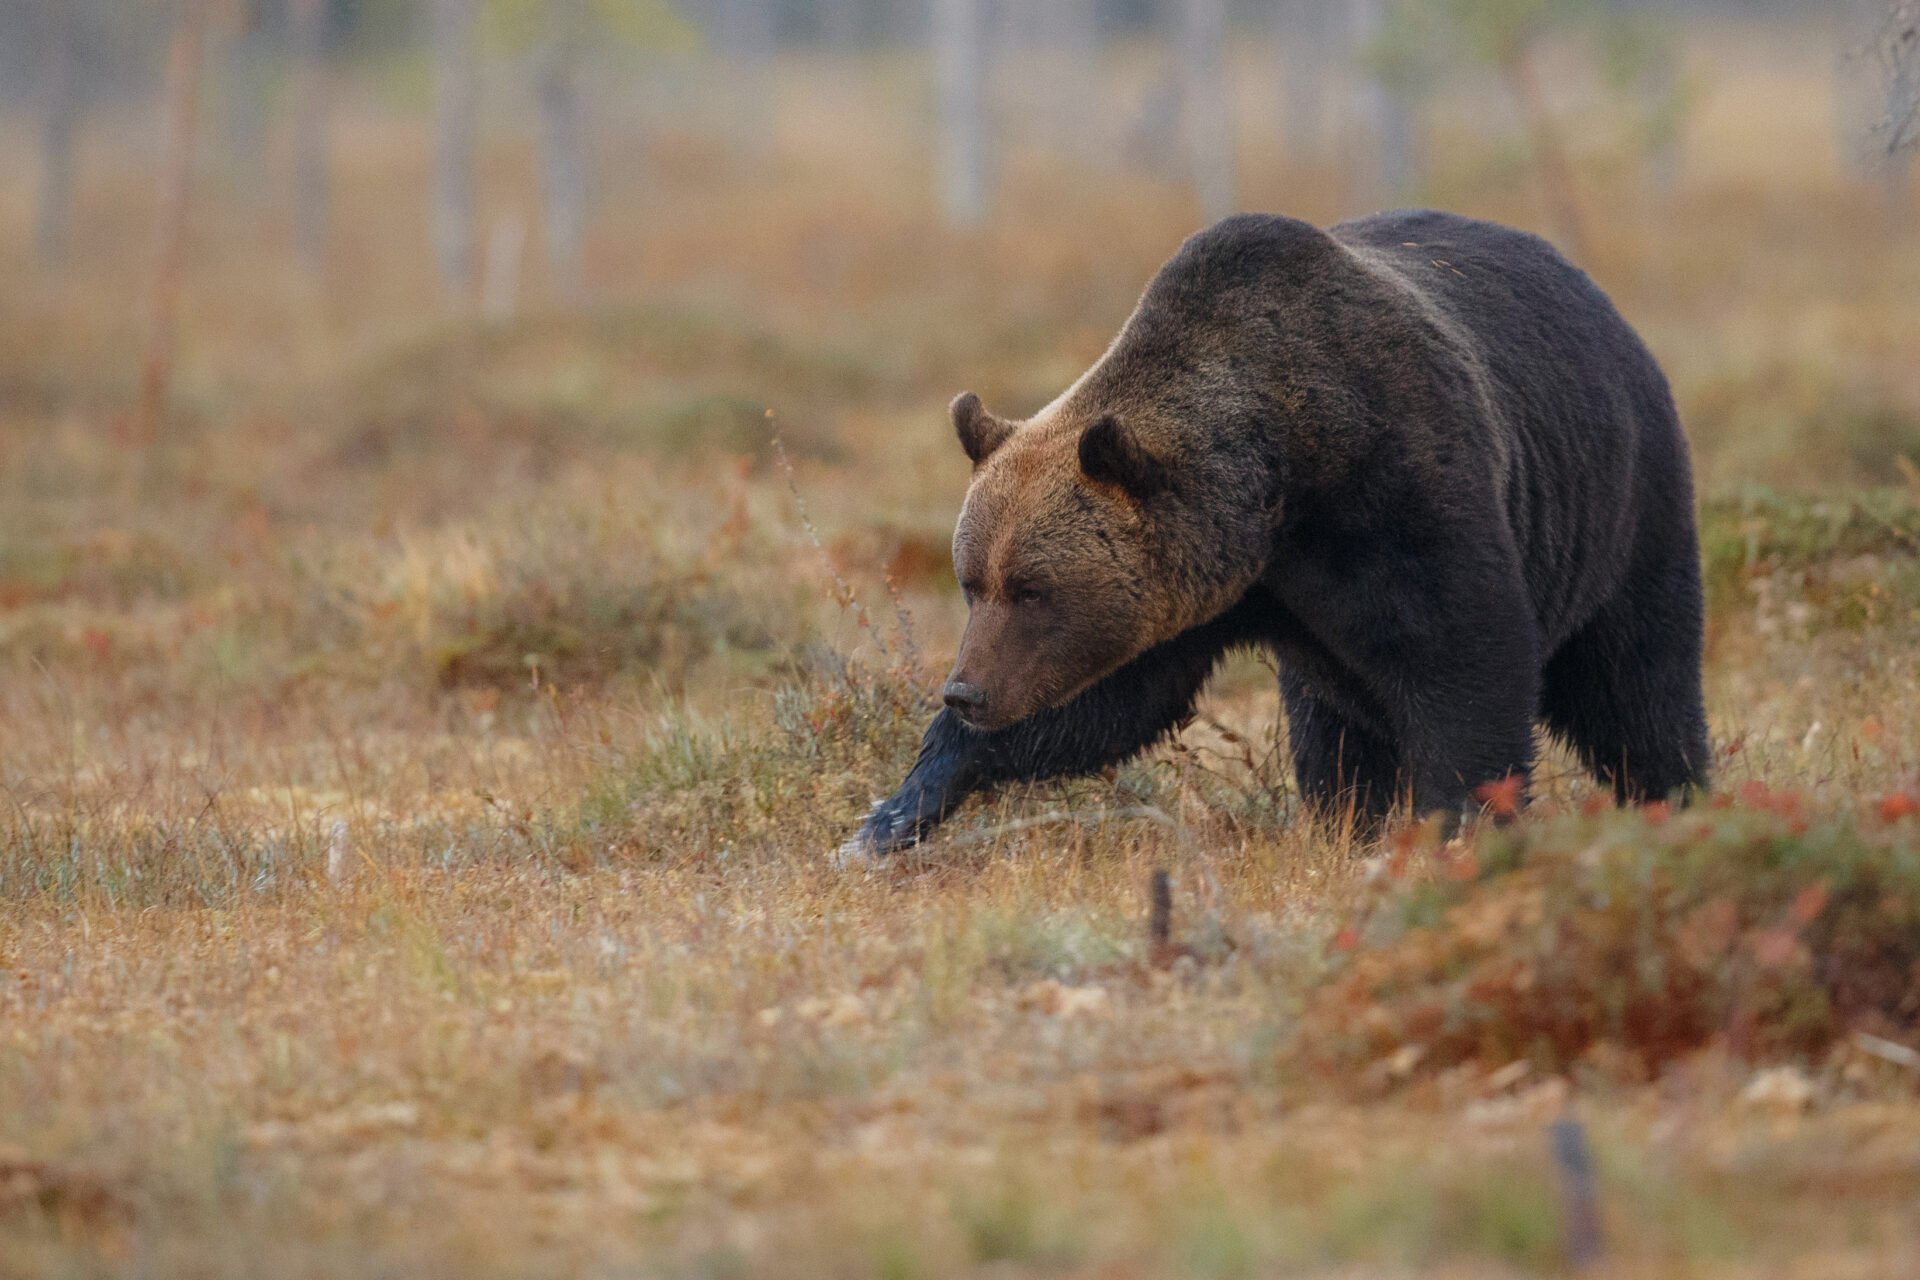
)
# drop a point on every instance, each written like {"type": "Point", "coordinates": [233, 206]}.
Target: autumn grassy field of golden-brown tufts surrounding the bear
{"type": "Point", "coordinates": [420, 767]}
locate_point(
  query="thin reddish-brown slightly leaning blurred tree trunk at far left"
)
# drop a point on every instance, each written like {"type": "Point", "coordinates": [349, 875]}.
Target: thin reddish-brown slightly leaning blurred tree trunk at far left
{"type": "Point", "coordinates": [185, 64]}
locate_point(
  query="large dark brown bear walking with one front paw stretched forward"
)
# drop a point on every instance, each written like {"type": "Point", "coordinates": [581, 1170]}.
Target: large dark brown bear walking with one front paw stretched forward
{"type": "Point", "coordinates": [1418, 458]}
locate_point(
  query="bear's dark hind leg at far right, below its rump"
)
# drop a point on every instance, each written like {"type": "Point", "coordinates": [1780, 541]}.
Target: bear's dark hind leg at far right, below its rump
{"type": "Point", "coordinates": [1625, 690]}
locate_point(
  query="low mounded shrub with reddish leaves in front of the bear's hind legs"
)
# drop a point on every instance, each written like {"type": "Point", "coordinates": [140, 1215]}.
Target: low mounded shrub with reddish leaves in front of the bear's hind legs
{"type": "Point", "coordinates": [1633, 939]}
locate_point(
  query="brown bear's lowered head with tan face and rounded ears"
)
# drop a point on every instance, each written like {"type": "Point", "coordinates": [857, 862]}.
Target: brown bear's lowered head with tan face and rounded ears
{"type": "Point", "coordinates": [1059, 550]}
